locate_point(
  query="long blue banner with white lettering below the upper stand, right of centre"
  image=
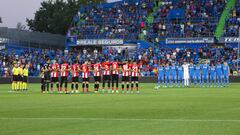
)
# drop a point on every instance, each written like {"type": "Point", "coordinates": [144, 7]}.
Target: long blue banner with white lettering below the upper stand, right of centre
{"type": "Point", "coordinates": [189, 40]}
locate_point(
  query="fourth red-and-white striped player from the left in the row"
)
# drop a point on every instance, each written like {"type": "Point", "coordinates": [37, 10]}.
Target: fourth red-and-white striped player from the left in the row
{"type": "Point", "coordinates": [85, 76]}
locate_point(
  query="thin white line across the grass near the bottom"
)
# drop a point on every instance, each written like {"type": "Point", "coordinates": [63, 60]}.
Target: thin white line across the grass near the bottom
{"type": "Point", "coordinates": [124, 119]}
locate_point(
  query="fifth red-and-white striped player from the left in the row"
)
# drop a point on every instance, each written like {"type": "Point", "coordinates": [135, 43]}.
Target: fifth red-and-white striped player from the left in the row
{"type": "Point", "coordinates": [97, 75]}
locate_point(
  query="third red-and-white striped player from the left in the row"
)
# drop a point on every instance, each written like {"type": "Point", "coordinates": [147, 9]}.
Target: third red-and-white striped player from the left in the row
{"type": "Point", "coordinates": [75, 74]}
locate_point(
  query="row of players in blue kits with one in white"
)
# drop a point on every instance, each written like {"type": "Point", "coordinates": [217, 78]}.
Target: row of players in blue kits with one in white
{"type": "Point", "coordinates": [203, 75]}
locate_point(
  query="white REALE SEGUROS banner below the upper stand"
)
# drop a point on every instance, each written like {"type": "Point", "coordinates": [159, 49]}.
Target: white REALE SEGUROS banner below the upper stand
{"type": "Point", "coordinates": [99, 42]}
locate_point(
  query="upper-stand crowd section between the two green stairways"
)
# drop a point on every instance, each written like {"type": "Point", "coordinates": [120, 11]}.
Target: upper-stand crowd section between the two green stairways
{"type": "Point", "coordinates": [200, 18]}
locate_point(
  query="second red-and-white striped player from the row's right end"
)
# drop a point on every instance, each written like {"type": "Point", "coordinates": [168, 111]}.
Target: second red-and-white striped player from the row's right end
{"type": "Point", "coordinates": [125, 75]}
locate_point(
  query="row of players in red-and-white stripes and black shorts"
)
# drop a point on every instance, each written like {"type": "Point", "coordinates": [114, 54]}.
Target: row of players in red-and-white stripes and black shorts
{"type": "Point", "coordinates": [107, 71]}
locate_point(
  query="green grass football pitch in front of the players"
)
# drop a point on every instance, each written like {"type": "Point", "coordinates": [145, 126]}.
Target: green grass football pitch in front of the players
{"type": "Point", "coordinates": [169, 111]}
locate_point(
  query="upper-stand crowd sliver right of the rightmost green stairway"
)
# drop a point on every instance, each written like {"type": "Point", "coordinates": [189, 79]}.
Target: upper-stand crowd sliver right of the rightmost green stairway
{"type": "Point", "coordinates": [232, 25]}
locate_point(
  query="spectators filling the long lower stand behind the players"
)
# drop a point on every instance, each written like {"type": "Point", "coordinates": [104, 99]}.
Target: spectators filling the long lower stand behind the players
{"type": "Point", "coordinates": [147, 58]}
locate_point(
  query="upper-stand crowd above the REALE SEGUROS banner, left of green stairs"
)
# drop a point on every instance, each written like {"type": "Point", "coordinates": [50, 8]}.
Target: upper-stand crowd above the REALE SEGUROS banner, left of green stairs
{"type": "Point", "coordinates": [121, 20]}
